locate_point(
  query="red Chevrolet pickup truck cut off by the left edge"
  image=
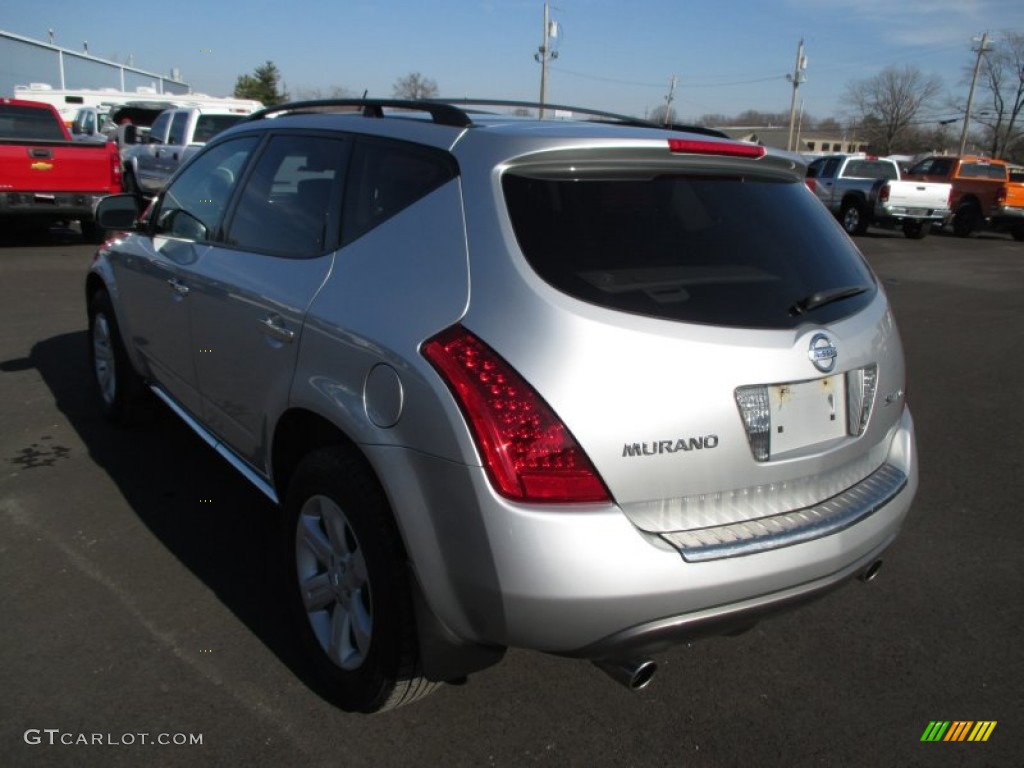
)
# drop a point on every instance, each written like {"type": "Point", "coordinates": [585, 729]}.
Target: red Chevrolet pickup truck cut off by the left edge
{"type": "Point", "coordinates": [46, 177]}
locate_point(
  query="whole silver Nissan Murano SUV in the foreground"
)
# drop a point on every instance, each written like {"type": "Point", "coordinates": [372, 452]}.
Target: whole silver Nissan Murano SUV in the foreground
{"type": "Point", "coordinates": [588, 387]}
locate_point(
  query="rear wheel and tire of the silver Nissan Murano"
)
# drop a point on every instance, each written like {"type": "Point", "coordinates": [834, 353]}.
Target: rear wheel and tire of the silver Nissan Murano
{"type": "Point", "coordinates": [349, 585]}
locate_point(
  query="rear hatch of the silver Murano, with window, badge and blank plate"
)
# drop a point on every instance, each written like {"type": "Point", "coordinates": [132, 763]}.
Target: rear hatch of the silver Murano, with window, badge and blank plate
{"type": "Point", "coordinates": [707, 333]}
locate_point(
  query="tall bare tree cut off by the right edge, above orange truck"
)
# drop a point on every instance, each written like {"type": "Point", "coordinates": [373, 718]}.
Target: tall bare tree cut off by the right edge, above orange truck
{"type": "Point", "coordinates": [1003, 77]}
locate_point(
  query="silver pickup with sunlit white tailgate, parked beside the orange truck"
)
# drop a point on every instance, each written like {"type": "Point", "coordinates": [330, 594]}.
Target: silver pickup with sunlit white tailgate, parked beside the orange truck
{"type": "Point", "coordinates": [861, 191]}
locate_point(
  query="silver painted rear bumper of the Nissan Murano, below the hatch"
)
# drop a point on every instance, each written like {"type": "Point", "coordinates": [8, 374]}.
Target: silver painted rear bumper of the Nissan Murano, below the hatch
{"type": "Point", "coordinates": [585, 582]}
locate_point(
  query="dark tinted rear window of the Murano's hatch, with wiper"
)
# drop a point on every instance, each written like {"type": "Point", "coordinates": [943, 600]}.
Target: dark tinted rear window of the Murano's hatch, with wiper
{"type": "Point", "coordinates": [722, 250]}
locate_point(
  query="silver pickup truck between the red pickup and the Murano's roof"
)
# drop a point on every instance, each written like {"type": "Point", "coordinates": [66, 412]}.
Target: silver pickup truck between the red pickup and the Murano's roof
{"type": "Point", "coordinates": [175, 137]}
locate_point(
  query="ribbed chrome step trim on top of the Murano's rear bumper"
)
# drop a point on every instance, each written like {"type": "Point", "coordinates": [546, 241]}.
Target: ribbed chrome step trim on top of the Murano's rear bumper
{"type": "Point", "coordinates": [796, 527]}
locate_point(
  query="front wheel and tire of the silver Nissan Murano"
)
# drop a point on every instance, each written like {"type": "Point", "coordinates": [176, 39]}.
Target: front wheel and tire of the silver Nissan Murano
{"type": "Point", "coordinates": [120, 390]}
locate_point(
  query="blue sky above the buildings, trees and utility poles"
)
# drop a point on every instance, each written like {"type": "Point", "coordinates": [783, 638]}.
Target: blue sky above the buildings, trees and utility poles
{"type": "Point", "coordinates": [730, 56]}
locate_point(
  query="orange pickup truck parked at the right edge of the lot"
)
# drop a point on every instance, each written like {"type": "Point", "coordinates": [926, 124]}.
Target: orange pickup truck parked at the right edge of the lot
{"type": "Point", "coordinates": [985, 192]}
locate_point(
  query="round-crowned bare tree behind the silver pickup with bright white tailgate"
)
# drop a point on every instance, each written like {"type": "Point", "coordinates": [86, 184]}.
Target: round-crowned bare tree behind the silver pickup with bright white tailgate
{"type": "Point", "coordinates": [890, 103]}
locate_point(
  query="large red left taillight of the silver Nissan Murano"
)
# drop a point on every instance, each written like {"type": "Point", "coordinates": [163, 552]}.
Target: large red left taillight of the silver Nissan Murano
{"type": "Point", "coordinates": [529, 454]}
